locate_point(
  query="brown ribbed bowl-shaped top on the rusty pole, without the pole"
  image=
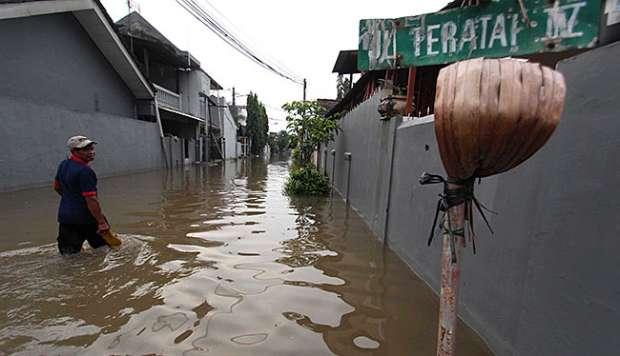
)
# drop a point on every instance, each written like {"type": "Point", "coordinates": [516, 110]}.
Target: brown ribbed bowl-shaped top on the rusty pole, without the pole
{"type": "Point", "coordinates": [493, 114]}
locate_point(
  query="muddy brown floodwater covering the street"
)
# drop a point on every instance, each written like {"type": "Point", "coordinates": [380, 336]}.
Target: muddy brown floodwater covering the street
{"type": "Point", "coordinates": [215, 260]}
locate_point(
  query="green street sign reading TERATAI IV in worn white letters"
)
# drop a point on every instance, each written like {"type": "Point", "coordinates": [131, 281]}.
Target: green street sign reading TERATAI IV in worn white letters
{"type": "Point", "coordinates": [493, 29]}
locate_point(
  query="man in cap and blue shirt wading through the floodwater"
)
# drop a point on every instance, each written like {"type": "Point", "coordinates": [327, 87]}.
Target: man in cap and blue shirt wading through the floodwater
{"type": "Point", "coordinates": [79, 214]}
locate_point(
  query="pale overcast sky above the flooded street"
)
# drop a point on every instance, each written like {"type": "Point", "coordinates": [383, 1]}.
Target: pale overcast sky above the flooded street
{"type": "Point", "coordinates": [304, 36]}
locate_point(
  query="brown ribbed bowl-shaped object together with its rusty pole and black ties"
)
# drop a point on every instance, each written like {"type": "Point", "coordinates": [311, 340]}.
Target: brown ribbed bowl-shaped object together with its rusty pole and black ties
{"type": "Point", "coordinates": [490, 116]}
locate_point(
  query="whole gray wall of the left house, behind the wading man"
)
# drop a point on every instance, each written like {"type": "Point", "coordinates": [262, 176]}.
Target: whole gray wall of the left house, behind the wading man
{"type": "Point", "coordinates": [55, 83]}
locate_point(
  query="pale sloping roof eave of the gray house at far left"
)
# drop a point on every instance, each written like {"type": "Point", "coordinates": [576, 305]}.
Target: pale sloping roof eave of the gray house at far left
{"type": "Point", "coordinates": [97, 23]}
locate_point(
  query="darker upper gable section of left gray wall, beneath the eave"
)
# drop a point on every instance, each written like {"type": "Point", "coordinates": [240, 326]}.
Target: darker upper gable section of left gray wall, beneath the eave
{"type": "Point", "coordinates": [50, 59]}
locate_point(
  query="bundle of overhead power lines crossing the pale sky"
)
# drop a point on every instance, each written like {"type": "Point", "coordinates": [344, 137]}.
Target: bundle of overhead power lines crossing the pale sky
{"type": "Point", "coordinates": [198, 12]}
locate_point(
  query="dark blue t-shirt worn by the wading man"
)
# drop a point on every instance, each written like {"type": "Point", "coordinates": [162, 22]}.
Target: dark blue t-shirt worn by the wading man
{"type": "Point", "coordinates": [77, 181]}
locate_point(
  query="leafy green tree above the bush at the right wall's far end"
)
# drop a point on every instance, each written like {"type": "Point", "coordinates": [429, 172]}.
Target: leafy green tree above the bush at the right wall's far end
{"type": "Point", "coordinates": [308, 127]}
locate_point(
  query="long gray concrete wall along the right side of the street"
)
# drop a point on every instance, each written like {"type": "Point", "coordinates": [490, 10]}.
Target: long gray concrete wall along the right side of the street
{"type": "Point", "coordinates": [546, 282]}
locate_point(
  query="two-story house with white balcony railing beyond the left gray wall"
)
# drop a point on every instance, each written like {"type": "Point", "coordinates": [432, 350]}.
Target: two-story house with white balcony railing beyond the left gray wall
{"type": "Point", "coordinates": [183, 90]}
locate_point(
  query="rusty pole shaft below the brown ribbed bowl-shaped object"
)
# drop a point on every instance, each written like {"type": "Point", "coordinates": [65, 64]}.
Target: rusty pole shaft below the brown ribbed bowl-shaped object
{"type": "Point", "coordinates": [450, 279]}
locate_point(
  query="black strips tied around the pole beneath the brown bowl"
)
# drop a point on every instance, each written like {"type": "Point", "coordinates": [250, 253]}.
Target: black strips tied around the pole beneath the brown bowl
{"type": "Point", "coordinates": [461, 192]}
